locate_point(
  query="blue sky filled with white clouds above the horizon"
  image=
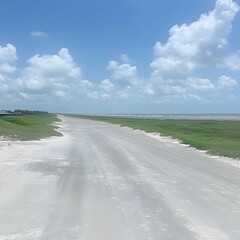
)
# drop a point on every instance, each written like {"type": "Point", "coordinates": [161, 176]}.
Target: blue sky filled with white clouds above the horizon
{"type": "Point", "coordinates": [125, 56]}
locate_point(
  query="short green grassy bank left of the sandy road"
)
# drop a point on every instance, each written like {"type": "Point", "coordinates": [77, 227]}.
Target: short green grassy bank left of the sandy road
{"type": "Point", "coordinates": [29, 127]}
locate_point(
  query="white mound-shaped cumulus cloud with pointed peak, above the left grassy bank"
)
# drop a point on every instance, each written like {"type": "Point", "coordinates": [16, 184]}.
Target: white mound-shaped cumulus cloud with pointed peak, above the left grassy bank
{"type": "Point", "coordinates": [56, 75]}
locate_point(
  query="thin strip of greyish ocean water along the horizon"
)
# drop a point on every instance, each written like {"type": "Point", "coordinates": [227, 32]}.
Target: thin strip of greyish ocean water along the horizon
{"type": "Point", "coordinates": [219, 117]}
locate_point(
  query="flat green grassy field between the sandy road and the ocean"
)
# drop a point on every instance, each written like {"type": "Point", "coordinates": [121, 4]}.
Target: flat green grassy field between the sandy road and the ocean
{"type": "Point", "coordinates": [217, 137]}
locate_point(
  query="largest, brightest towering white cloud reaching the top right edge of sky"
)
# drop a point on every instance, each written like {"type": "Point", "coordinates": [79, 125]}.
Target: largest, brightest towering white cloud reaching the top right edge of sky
{"type": "Point", "coordinates": [200, 43]}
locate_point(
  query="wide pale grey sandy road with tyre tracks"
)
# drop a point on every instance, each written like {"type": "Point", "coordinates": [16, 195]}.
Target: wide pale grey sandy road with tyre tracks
{"type": "Point", "coordinates": [103, 182]}
